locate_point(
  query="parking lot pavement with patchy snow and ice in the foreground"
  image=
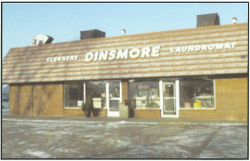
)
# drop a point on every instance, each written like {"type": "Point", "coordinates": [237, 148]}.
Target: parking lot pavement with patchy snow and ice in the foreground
{"type": "Point", "coordinates": [36, 137]}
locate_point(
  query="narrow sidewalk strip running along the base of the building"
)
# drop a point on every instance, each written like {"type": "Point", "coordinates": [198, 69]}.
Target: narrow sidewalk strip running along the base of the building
{"type": "Point", "coordinates": [105, 120]}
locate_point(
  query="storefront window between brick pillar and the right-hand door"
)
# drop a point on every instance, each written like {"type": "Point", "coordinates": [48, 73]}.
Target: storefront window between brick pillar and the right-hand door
{"type": "Point", "coordinates": [144, 94]}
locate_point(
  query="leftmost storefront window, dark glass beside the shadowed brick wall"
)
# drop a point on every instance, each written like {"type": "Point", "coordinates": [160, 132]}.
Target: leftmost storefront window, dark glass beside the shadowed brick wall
{"type": "Point", "coordinates": [73, 95]}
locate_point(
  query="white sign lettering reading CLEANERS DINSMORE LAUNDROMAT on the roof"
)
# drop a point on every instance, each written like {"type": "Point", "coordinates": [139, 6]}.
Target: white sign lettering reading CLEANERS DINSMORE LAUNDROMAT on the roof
{"type": "Point", "coordinates": [143, 52]}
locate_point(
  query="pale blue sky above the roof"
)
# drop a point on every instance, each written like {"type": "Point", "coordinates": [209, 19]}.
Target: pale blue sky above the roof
{"type": "Point", "coordinates": [21, 22]}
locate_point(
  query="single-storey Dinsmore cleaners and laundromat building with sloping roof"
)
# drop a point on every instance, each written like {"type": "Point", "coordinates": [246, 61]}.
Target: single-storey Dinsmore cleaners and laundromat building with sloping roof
{"type": "Point", "coordinates": [198, 72]}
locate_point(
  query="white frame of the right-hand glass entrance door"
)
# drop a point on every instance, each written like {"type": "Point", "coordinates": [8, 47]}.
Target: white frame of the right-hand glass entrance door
{"type": "Point", "coordinates": [177, 98]}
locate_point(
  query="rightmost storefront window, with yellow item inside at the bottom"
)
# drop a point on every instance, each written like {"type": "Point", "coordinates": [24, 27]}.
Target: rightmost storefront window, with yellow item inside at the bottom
{"type": "Point", "coordinates": [197, 93]}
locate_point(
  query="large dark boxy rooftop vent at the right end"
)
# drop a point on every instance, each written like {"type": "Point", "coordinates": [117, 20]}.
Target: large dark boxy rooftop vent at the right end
{"type": "Point", "coordinates": [208, 20]}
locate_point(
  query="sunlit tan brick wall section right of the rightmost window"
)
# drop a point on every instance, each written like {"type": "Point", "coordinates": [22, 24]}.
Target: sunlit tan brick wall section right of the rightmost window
{"type": "Point", "coordinates": [231, 98]}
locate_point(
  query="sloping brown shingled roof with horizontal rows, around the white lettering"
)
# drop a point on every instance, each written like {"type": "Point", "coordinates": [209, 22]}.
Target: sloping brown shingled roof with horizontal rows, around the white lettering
{"type": "Point", "coordinates": [29, 64]}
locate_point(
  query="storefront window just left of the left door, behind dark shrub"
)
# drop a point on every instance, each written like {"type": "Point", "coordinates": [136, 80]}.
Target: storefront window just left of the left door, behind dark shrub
{"type": "Point", "coordinates": [97, 89]}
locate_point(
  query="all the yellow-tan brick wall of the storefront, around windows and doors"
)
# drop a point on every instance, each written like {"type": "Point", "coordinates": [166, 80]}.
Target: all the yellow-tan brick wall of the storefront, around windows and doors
{"type": "Point", "coordinates": [47, 100]}
